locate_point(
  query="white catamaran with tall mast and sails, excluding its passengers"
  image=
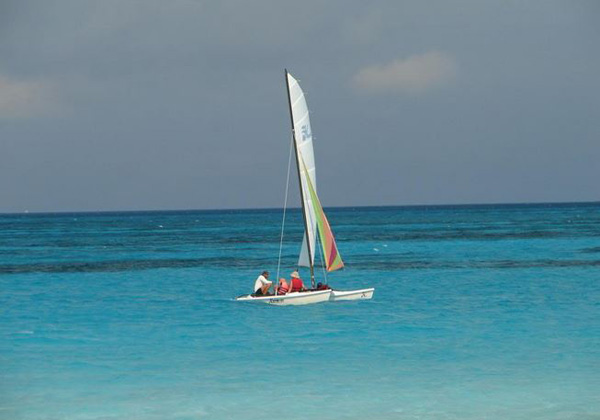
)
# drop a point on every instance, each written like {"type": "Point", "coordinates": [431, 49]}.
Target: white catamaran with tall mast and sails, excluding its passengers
{"type": "Point", "coordinates": [314, 218]}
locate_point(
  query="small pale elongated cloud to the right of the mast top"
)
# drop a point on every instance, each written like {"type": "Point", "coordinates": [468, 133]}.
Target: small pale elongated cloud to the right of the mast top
{"type": "Point", "coordinates": [415, 74]}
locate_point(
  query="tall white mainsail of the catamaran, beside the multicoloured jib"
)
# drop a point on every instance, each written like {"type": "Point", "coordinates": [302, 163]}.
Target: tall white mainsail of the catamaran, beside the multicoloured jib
{"type": "Point", "coordinates": [304, 147]}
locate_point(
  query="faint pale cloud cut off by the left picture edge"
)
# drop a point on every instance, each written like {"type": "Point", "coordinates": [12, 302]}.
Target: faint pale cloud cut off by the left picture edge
{"type": "Point", "coordinates": [22, 99]}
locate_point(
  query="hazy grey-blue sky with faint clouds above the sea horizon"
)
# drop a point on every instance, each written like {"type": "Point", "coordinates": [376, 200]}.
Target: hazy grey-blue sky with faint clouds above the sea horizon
{"type": "Point", "coordinates": [165, 105]}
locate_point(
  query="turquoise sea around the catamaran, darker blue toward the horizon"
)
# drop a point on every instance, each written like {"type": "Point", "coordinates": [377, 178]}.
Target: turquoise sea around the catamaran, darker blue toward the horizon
{"type": "Point", "coordinates": [479, 312]}
